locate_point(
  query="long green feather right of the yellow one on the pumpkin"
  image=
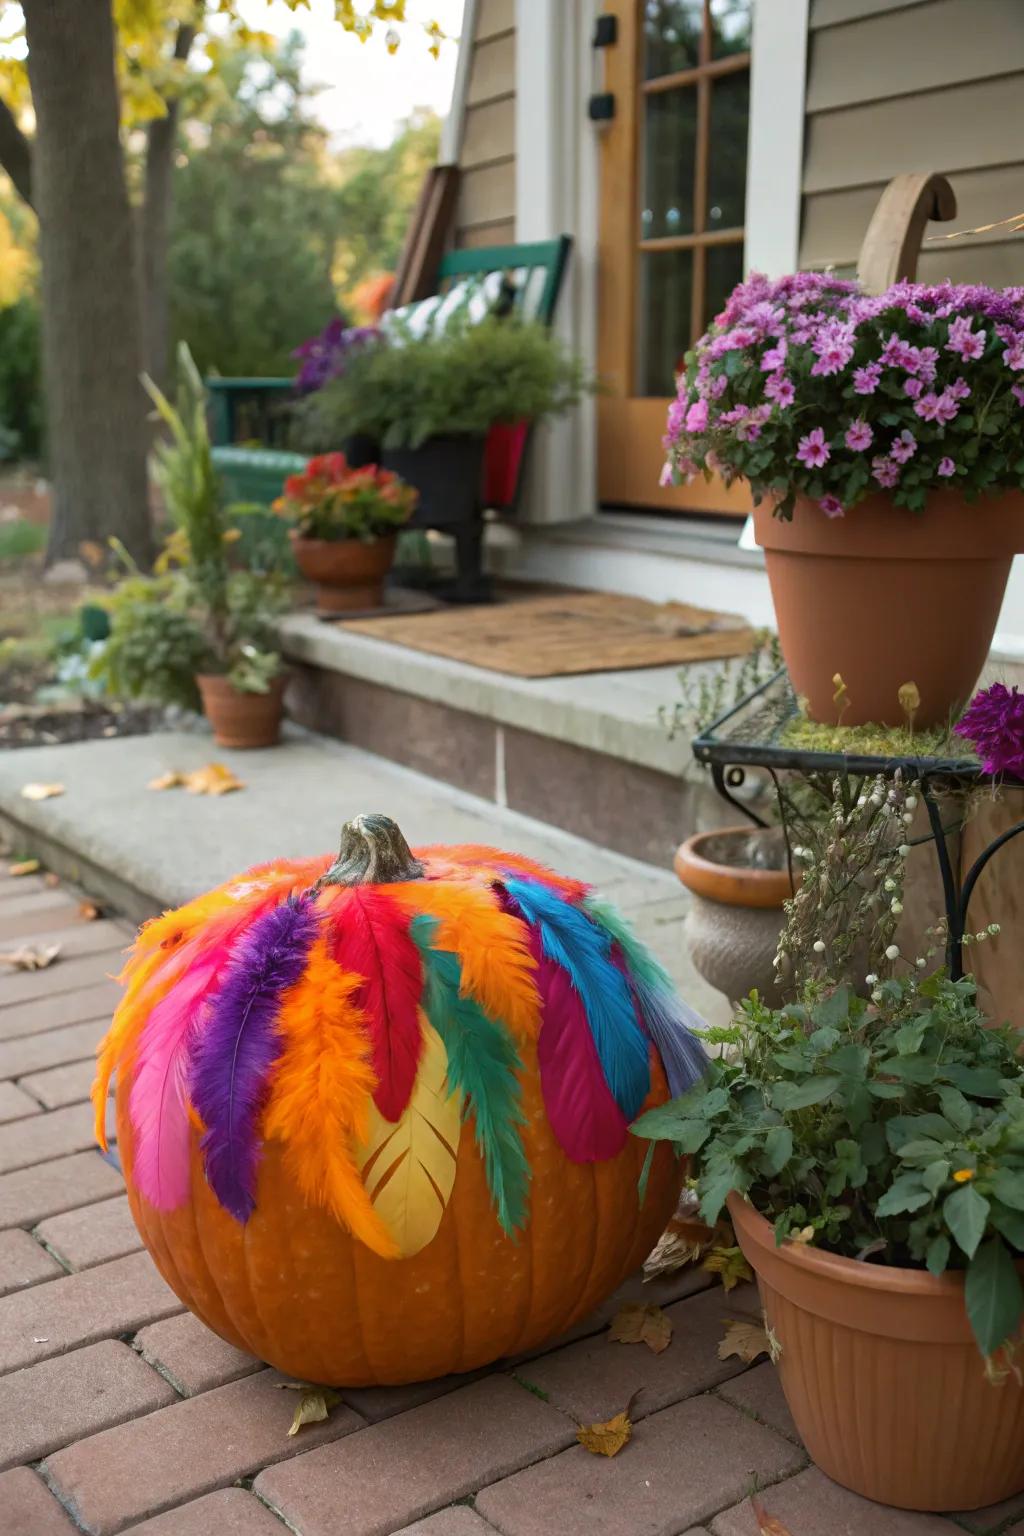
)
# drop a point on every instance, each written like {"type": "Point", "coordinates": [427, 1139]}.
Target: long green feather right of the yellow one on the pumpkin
{"type": "Point", "coordinates": [483, 1067]}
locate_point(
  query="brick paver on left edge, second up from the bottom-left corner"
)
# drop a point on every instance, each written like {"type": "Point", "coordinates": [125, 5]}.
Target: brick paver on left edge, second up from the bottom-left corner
{"type": "Point", "coordinates": [74, 1395]}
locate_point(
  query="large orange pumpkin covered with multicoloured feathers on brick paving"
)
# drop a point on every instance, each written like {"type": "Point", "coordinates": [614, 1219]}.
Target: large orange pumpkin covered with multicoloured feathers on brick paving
{"type": "Point", "coordinates": [375, 1117]}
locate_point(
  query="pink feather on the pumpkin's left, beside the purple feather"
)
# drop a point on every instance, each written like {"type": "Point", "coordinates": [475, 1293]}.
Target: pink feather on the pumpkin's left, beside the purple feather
{"type": "Point", "coordinates": [157, 1107]}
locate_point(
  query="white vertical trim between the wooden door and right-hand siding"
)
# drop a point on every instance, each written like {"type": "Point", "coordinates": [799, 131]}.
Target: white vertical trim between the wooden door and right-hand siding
{"type": "Point", "coordinates": [775, 161]}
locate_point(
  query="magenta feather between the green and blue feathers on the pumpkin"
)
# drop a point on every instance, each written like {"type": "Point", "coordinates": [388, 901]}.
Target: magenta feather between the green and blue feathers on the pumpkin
{"type": "Point", "coordinates": [584, 1116]}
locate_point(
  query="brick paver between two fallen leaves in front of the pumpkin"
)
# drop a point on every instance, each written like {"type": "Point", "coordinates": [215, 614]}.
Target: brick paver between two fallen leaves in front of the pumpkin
{"type": "Point", "coordinates": [397, 1472]}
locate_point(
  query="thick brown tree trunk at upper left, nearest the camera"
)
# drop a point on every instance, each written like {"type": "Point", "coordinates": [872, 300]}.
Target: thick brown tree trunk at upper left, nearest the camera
{"type": "Point", "coordinates": [96, 406]}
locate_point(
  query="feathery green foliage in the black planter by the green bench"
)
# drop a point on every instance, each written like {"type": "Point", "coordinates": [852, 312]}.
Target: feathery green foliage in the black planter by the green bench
{"type": "Point", "coordinates": [460, 383]}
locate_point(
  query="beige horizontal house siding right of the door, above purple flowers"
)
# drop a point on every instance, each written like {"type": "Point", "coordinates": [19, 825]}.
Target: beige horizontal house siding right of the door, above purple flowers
{"type": "Point", "coordinates": [920, 85]}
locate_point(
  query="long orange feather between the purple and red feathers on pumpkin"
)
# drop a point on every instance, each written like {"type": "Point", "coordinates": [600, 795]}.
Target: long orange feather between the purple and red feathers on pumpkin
{"type": "Point", "coordinates": [322, 1093]}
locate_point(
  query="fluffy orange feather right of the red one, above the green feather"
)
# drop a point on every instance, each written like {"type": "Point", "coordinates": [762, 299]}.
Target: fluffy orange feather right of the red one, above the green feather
{"type": "Point", "coordinates": [494, 948]}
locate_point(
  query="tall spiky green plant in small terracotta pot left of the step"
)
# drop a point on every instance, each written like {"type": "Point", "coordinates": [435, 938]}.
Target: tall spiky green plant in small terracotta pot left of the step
{"type": "Point", "coordinates": [199, 632]}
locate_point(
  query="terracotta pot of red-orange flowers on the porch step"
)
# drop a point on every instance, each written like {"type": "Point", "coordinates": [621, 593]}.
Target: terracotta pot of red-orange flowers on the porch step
{"type": "Point", "coordinates": [345, 529]}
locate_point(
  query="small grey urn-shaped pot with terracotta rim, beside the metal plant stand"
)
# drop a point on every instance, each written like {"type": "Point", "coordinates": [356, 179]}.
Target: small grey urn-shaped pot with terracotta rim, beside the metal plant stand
{"type": "Point", "coordinates": [738, 905]}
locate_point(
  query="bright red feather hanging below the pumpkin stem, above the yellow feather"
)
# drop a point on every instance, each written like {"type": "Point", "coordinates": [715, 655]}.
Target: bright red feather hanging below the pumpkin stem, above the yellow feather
{"type": "Point", "coordinates": [372, 941]}
